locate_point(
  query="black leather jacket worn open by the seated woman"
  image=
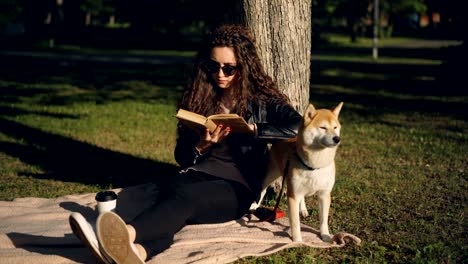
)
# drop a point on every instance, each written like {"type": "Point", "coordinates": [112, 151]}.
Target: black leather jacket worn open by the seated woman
{"type": "Point", "coordinates": [273, 122]}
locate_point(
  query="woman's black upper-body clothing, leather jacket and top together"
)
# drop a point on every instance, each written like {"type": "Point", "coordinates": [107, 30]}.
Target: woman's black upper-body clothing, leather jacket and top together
{"type": "Point", "coordinates": [240, 157]}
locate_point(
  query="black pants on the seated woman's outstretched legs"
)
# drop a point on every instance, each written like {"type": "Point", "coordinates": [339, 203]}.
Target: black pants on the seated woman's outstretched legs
{"type": "Point", "coordinates": [194, 198]}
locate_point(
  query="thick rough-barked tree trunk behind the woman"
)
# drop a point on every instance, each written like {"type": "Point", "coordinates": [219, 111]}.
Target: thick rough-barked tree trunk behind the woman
{"type": "Point", "coordinates": [283, 33]}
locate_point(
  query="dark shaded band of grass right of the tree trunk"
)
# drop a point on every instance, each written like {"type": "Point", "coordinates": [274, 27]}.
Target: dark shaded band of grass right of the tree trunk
{"type": "Point", "coordinates": [379, 88]}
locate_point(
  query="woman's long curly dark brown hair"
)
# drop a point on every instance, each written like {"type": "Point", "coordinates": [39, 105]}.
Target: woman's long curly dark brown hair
{"type": "Point", "coordinates": [203, 97]}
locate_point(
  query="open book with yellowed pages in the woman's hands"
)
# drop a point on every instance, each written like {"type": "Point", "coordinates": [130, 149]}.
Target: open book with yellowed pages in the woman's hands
{"type": "Point", "coordinates": [197, 121]}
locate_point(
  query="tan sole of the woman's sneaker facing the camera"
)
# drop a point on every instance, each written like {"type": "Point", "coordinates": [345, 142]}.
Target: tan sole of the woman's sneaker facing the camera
{"type": "Point", "coordinates": [114, 239]}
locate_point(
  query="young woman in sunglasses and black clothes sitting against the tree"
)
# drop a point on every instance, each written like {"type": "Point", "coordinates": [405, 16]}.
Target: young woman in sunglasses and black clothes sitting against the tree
{"type": "Point", "coordinates": [221, 172]}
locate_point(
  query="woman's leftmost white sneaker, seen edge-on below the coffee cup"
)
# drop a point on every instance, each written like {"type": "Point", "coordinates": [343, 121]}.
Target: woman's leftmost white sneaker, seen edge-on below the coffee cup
{"type": "Point", "coordinates": [85, 232]}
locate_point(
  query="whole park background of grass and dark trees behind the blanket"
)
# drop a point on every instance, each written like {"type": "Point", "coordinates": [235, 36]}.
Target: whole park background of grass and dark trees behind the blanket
{"type": "Point", "coordinates": [88, 93]}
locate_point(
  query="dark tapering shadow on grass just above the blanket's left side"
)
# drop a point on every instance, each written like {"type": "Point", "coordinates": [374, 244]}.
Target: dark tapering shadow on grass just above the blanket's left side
{"type": "Point", "coordinates": [69, 160]}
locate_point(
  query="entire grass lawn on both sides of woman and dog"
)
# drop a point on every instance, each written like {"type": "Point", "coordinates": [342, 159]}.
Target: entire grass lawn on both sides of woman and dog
{"type": "Point", "coordinates": [401, 169]}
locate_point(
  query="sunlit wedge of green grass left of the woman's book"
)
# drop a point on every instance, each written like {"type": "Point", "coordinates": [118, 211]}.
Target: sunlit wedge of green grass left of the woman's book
{"type": "Point", "coordinates": [145, 130]}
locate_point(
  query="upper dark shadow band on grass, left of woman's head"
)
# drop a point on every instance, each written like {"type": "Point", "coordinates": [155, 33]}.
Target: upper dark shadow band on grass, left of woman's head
{"type": "Point", "coordinates": [63, 83]}
